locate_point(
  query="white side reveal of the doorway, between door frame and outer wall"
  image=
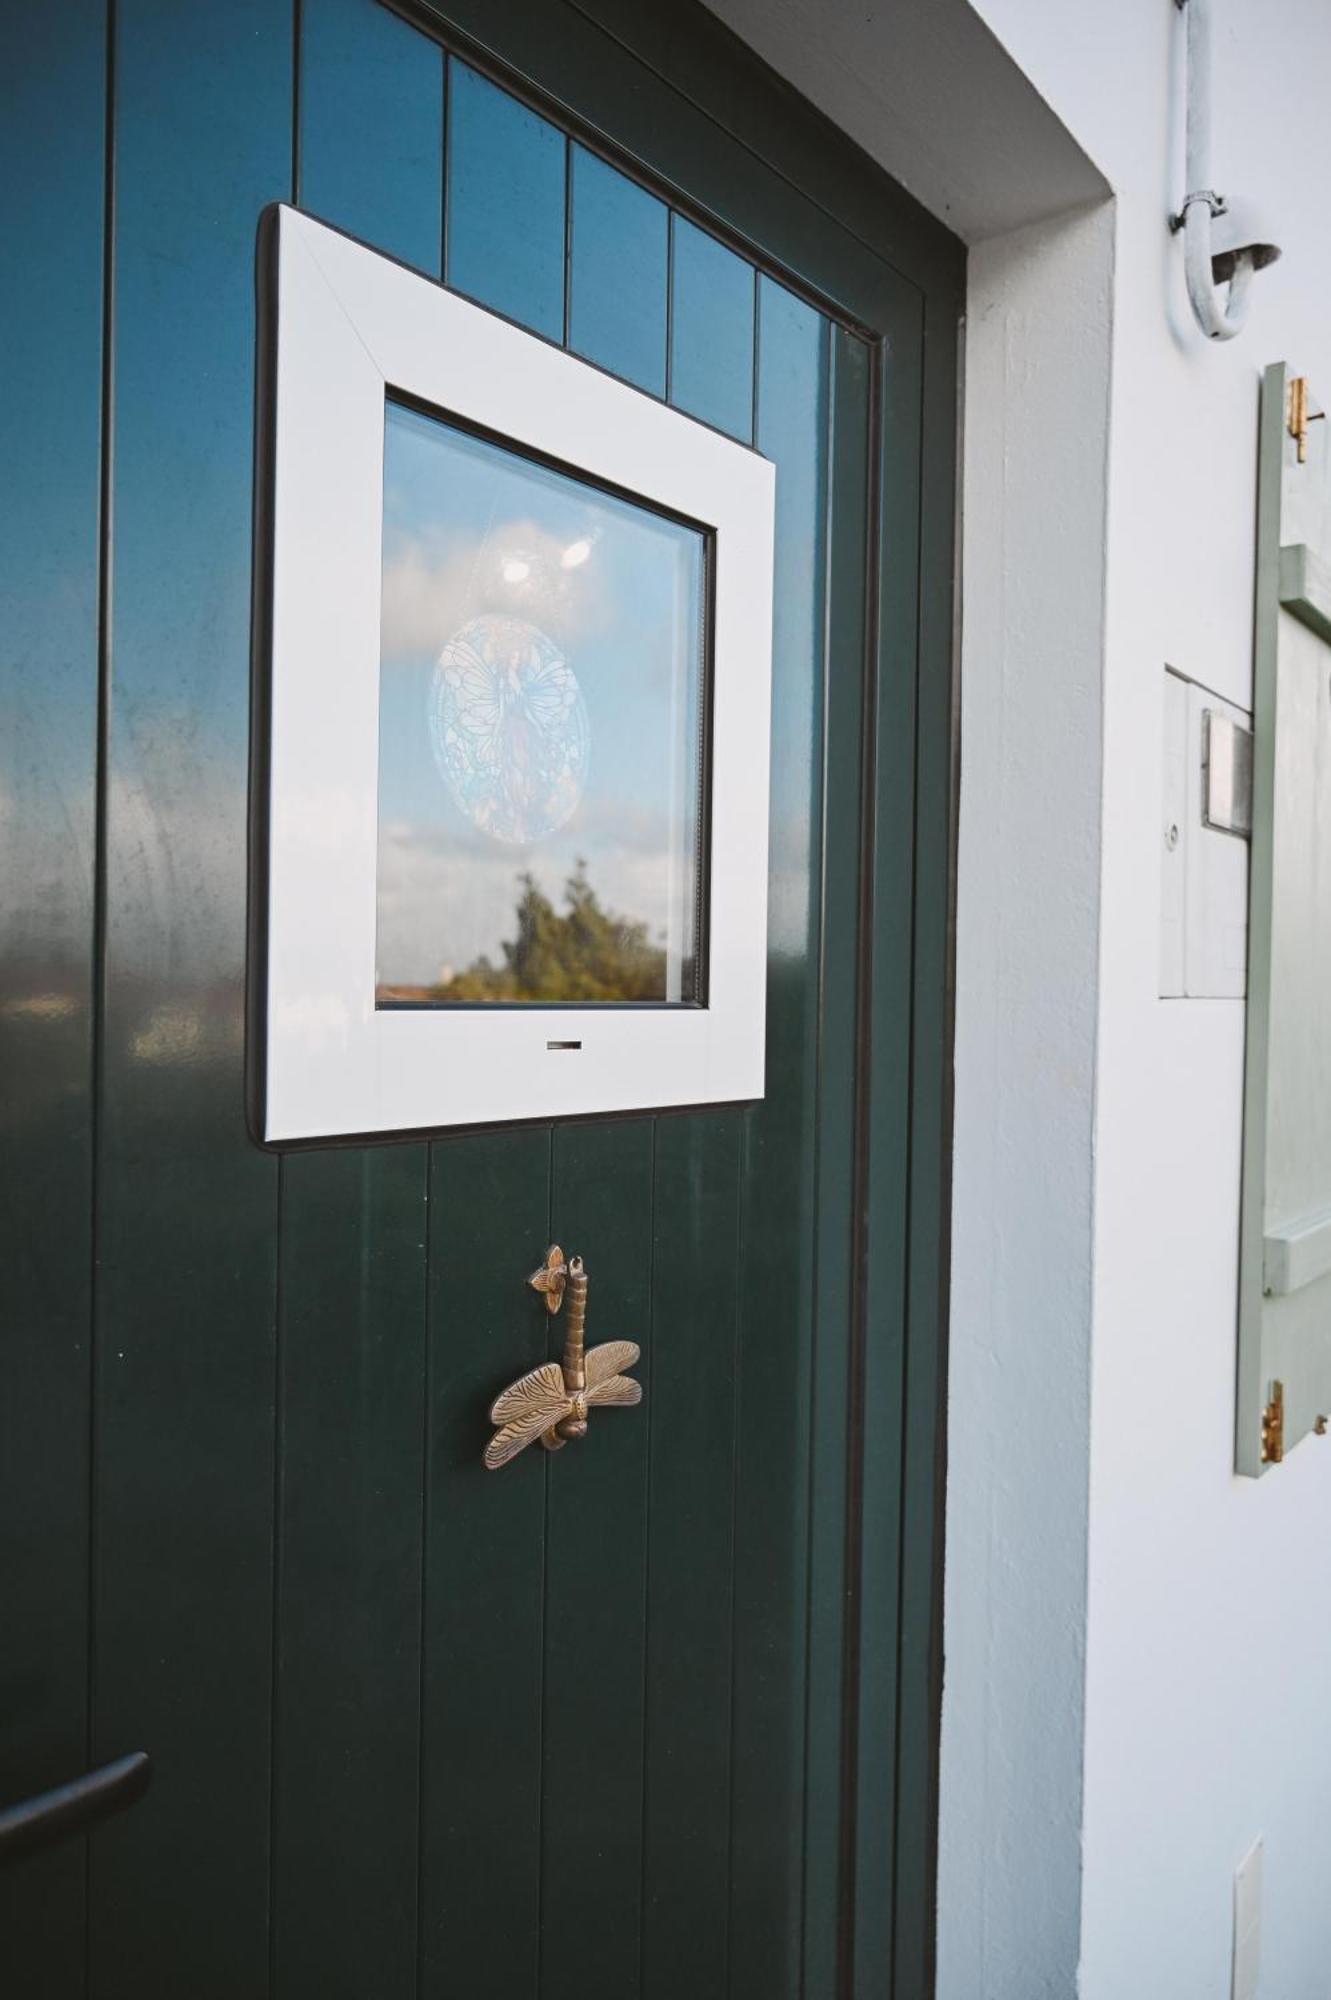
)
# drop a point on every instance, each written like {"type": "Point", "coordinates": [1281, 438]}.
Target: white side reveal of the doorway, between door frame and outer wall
{"type": "Point", "coordinates": [1036, 469]}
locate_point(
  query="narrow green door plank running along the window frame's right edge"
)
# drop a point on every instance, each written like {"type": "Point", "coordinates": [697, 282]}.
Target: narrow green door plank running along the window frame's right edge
{"type": "Point", "coordinates": [776, 1259]}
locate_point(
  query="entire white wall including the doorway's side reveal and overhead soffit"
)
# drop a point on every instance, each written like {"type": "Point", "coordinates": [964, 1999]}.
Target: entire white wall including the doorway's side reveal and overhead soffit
{"type": "Point", "coordinates": [1142, 1685]}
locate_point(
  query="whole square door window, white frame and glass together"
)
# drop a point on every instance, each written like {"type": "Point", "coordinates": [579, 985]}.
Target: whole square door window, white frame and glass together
{"type": "Point", "coordinates": [513, 669]}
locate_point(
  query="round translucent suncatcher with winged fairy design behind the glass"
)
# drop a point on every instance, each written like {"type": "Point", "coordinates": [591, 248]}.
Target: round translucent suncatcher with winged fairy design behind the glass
{"type": "Point", "coordinates": [511, 729]}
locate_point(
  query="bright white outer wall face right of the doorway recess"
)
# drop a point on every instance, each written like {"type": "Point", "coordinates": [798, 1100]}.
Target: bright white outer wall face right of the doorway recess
{"type": "Point", "coordinates": [1208, 1713]}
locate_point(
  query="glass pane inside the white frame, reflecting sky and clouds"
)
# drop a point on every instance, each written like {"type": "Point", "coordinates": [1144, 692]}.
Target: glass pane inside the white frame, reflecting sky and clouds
{"type": "Point", "coordinates": [539, 717]}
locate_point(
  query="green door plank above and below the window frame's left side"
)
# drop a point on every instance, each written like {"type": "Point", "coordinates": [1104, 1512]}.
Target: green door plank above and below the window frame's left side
{"type": "Point", "coordinates": [353, 1265]}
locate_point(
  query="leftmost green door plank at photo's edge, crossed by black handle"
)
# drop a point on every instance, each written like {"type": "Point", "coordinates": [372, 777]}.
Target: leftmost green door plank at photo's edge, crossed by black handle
{"type": "Point", "coordinates": [51, 385]}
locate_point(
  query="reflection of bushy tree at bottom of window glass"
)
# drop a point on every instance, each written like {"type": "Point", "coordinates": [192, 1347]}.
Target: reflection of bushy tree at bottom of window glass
{"type": "Point", "coordinates": [585, 953]}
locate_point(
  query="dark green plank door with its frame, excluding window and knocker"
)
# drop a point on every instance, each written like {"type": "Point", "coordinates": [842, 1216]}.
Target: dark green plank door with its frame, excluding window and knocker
{"type": "Point", "coordinates": [655, 1717]}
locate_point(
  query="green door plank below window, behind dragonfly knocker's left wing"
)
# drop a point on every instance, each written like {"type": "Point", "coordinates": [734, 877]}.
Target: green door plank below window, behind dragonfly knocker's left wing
{"type": "Point", "coordinates": [481, 1871]}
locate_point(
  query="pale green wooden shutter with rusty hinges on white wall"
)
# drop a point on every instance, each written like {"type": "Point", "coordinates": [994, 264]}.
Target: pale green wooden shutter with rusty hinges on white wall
{"type": "Point", "coordinates": [1286, 1247]}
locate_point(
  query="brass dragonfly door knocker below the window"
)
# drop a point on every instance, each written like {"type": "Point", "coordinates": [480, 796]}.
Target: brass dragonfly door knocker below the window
{"type": "Point", "coordinates": [553, 1403]}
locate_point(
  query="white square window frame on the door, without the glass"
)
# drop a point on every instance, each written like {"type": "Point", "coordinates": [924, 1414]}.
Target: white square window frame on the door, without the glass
{"type": "Point", "coordinates": [353, 327]}
